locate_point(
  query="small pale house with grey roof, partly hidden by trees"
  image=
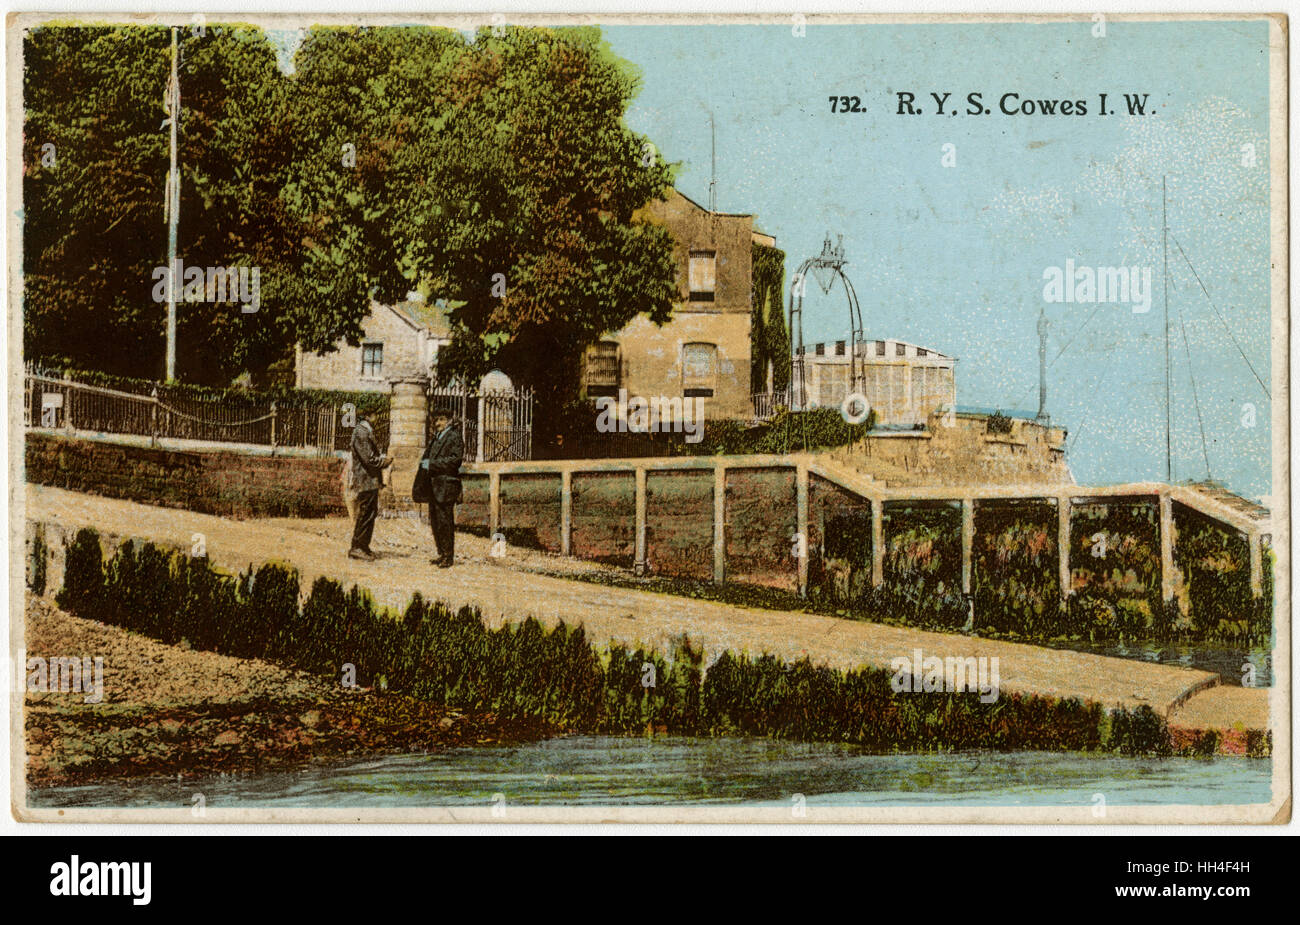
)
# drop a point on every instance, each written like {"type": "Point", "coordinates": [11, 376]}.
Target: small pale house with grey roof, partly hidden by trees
{"type": "Point", "coordinates": [398, 342]}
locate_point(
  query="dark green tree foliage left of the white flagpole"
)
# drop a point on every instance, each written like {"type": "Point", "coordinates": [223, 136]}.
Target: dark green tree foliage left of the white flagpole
{"type": "Point", "coordinates": [94, 168]}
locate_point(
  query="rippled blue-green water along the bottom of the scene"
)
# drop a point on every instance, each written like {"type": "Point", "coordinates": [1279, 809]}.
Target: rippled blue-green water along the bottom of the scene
{"type": "Point", "coordinates": [596, 771]}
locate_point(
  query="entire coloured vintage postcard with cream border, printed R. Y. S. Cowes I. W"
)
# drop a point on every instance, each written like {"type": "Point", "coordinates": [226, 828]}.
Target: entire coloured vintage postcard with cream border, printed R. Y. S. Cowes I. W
{"type": "Point", "coordinates": [778, 419]}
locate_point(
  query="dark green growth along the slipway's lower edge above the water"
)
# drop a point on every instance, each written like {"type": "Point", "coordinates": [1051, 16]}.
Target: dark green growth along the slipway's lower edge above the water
{"type": "Point", "coordinates": [557, 676]}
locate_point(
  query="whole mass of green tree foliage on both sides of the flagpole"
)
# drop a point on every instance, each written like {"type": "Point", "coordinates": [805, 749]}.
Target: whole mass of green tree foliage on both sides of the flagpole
{"type": "Point", "coordinates": [495, 172]}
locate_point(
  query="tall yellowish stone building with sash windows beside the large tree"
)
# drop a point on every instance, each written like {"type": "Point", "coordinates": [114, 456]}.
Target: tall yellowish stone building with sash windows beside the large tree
{"type": "Point", "coordinates": [705, 350]}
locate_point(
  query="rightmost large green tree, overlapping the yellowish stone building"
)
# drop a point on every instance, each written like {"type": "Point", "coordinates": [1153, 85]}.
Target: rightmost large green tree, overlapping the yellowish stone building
{"type": "Point", "coordinates": [552, 258]}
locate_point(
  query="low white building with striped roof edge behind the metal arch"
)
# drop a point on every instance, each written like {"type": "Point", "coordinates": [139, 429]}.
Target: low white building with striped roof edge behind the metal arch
{"type": "Point", "coordinates": [905, 384]}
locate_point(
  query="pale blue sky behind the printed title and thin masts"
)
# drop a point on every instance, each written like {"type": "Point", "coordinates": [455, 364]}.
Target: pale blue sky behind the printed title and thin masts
{"type": "Point", "coordinates": [954, 258]}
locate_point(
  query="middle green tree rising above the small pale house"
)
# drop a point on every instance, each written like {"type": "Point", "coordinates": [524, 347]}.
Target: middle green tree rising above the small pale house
{"type": "Point", "coordinates": [369, 110]}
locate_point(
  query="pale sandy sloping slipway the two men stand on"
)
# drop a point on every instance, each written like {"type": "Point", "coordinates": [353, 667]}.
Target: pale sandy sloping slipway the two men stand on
{"type": "Point", "coordinates": [505, 588]}
